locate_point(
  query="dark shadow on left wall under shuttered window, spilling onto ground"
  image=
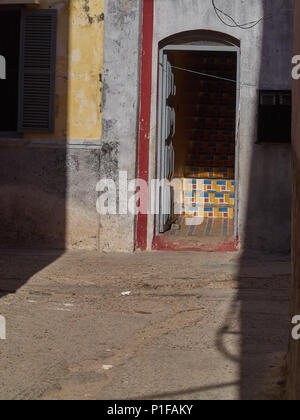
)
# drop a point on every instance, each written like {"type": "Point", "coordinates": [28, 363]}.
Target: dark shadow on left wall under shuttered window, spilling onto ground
{"type": "Point", "coordinates": [33, 184]}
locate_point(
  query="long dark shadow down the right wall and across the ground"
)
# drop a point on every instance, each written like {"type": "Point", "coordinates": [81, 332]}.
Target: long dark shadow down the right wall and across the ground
{"type": "Point", "coordinates": [262, 302]}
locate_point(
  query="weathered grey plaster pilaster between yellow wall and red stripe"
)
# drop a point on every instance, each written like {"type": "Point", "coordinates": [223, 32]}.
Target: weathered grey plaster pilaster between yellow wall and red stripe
{"type": "Point", "coordinates": [121, 108]}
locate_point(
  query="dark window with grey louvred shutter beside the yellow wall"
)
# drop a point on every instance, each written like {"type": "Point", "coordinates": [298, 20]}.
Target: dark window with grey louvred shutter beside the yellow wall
{"type": "Point", "coordinates": [28, 43]}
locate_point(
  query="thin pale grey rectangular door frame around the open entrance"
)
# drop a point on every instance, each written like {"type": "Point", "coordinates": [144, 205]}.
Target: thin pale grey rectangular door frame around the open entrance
{"type": "Point", "coordinates": [222, 48]}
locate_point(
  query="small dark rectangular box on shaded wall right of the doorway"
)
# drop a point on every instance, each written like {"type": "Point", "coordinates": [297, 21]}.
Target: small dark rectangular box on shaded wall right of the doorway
{"type": "Point", "coordinates": [274, 116]}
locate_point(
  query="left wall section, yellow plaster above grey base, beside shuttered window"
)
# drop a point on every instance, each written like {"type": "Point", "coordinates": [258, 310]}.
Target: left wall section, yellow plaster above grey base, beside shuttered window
{"type": "Point", "coordinates": [48, 182]}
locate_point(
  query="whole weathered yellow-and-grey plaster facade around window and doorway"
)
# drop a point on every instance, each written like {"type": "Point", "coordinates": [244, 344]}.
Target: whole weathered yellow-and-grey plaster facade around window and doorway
{"type": "Point", "coordinates": [264, 204]}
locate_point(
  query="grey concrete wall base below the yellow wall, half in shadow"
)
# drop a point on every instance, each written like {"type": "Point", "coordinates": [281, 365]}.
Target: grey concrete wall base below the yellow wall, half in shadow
{"type": "Point", "coordinates": [48, 193]}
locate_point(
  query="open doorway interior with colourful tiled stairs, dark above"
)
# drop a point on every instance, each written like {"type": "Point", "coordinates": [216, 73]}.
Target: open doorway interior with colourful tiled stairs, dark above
{"type": "Point", "coordinates": [204, 142]}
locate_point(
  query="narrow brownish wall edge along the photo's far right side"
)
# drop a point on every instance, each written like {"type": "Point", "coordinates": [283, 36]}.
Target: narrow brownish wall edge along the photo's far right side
{"type": "Point", "coordinates": [293, 385]}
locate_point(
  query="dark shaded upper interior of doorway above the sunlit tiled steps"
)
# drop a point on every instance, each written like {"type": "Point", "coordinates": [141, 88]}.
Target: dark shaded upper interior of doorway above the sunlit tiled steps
{"type": "Point", "coordinates": [205, 112]}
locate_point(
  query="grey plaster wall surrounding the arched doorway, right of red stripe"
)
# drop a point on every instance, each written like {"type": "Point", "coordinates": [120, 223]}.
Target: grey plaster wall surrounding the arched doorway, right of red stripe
{"type": "Point", "coordinates": [264, 181]}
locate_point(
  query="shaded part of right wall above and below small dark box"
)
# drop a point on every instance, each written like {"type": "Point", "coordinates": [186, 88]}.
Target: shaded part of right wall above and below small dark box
{"type": "Point", "coordinates": [269, 194]}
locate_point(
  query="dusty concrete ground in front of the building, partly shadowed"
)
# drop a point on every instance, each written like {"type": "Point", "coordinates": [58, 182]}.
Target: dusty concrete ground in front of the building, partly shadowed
{"type": "Point", "coordinates": [194, 326]}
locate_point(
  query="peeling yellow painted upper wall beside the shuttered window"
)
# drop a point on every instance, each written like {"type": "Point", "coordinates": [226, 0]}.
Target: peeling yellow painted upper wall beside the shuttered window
{"type": "Point", "coordinates": [79, 68]}
